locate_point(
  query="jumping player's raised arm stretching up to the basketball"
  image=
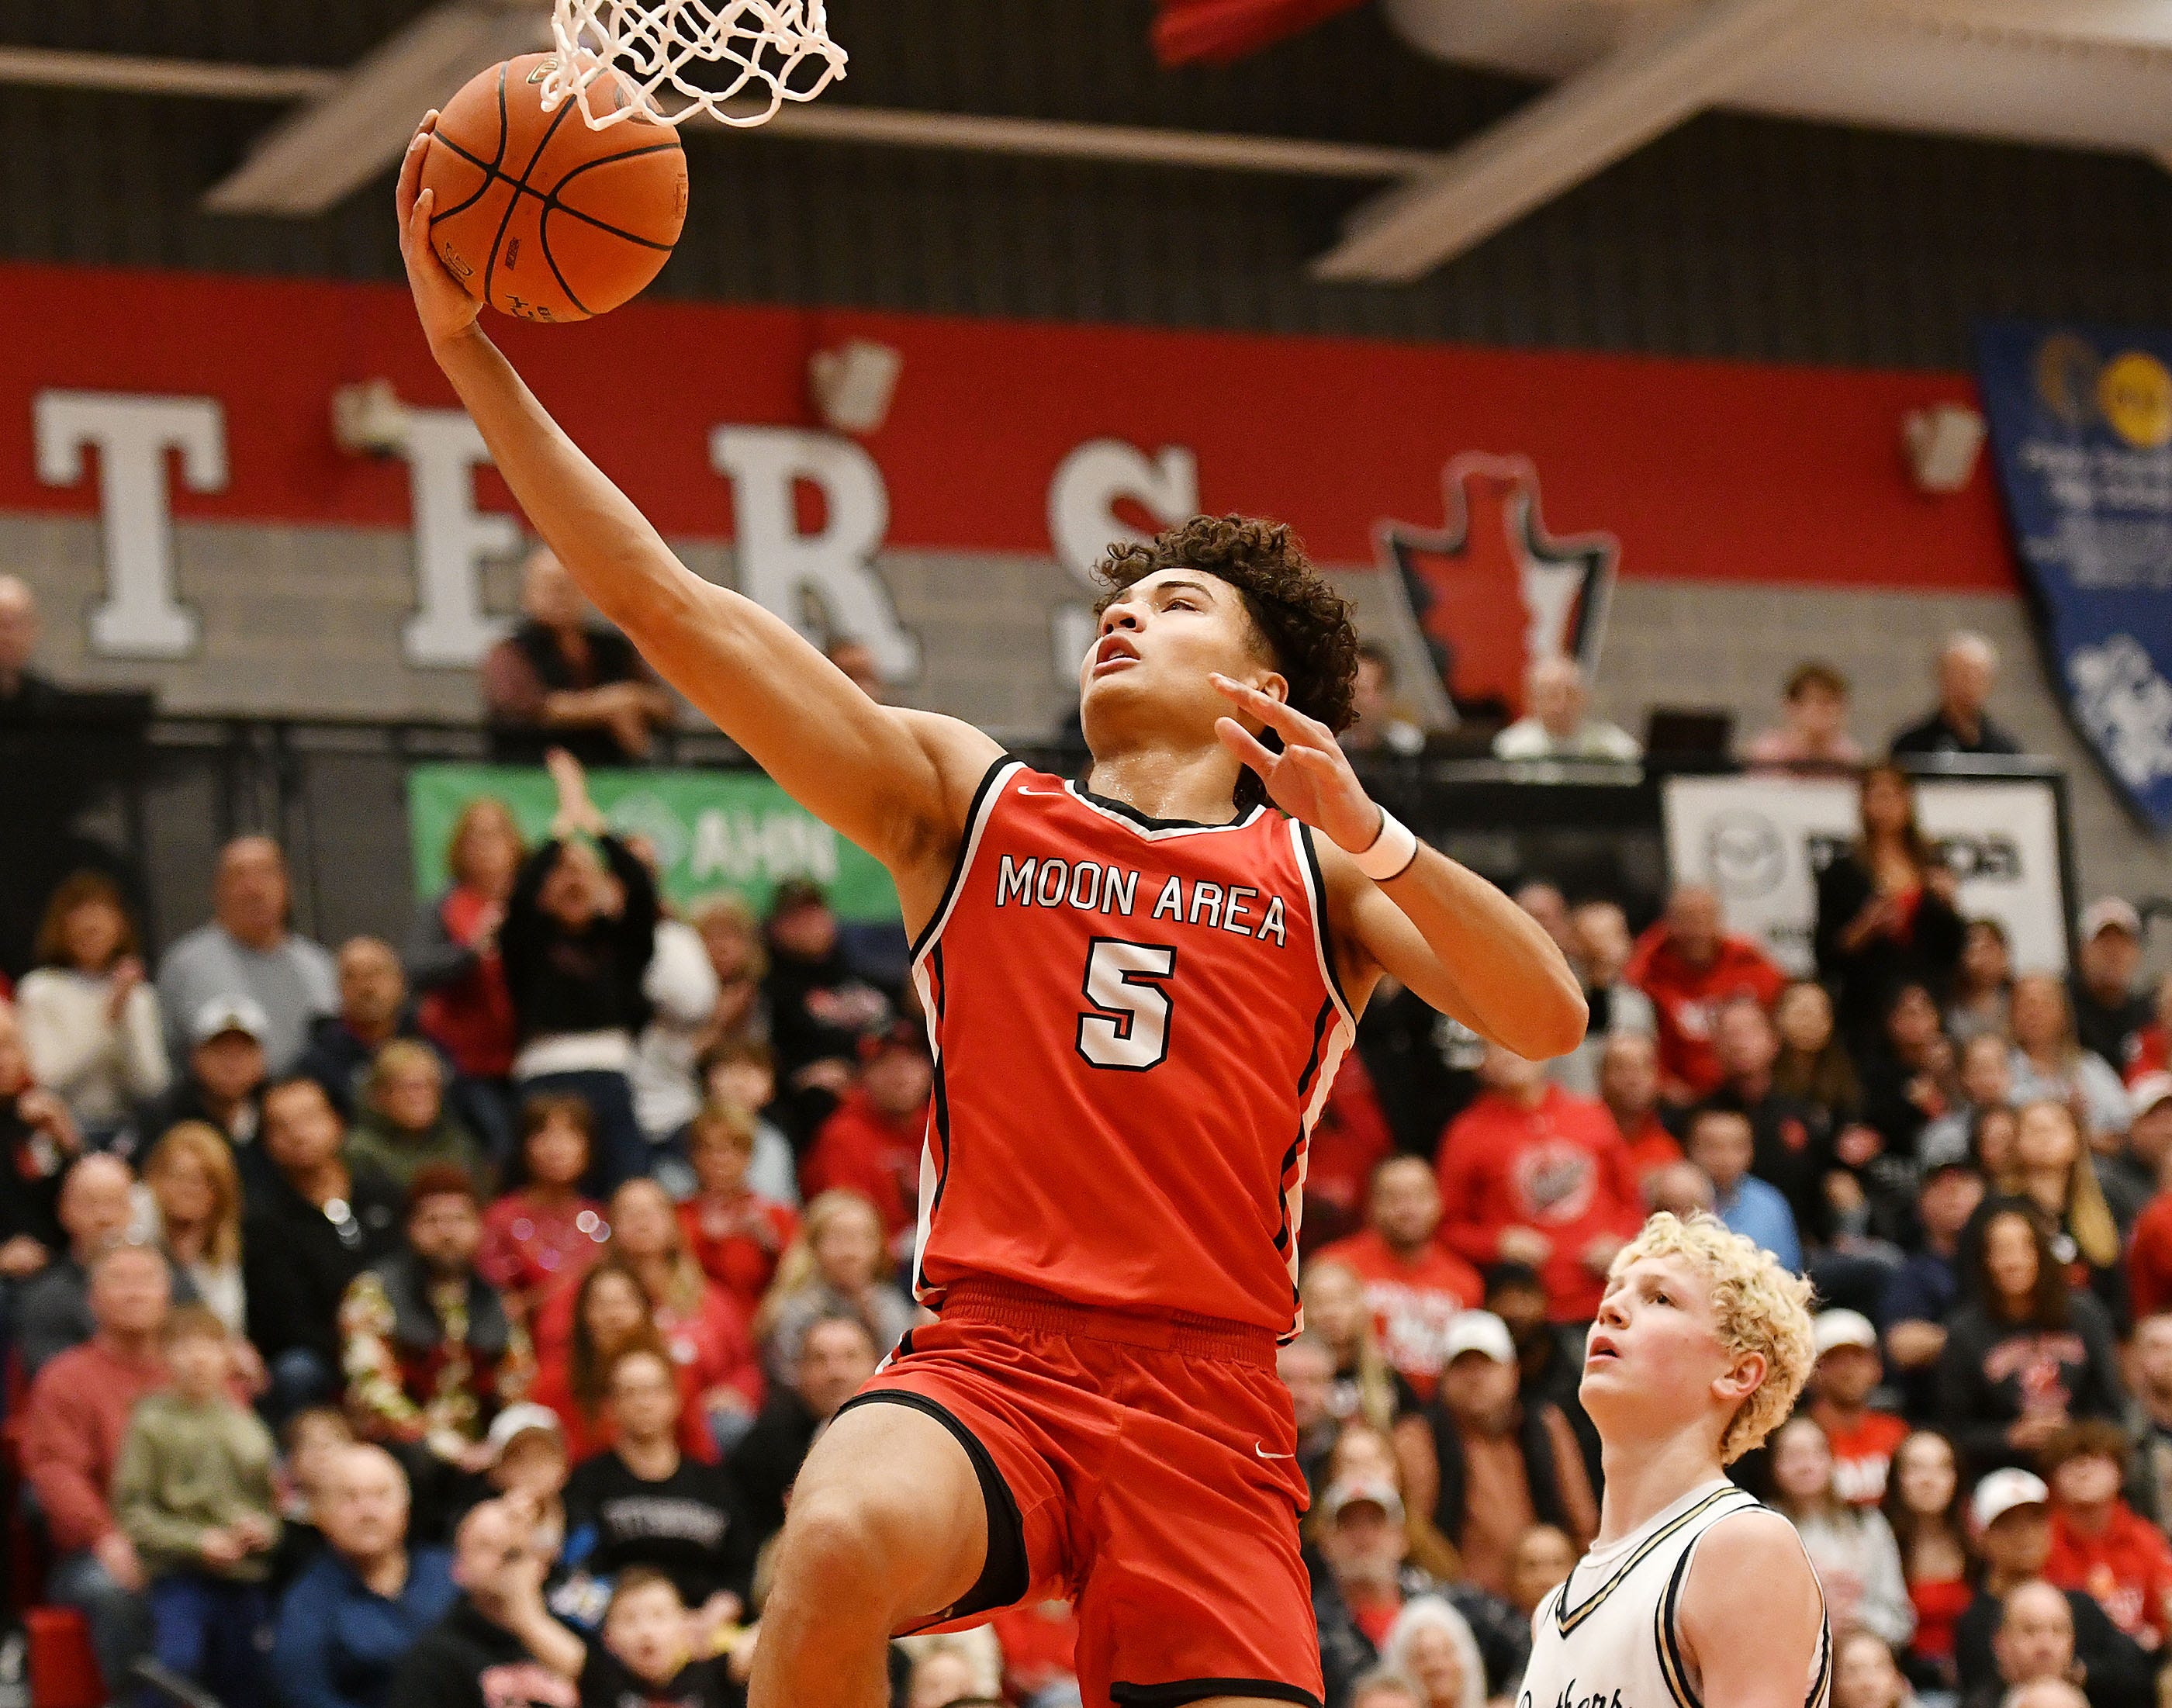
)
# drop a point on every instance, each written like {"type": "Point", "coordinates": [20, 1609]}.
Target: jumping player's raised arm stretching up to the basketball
{"type": "Point", "coordinates": [896, 783]}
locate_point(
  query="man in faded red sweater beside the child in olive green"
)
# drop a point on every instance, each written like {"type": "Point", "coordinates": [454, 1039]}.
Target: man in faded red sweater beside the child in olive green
{"type": "Point", "coordinates": [71, 1440]}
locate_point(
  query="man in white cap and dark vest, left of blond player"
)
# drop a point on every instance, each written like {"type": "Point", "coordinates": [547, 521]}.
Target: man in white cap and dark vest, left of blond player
{"type": "Point", "coordinates": [1504, 1464]}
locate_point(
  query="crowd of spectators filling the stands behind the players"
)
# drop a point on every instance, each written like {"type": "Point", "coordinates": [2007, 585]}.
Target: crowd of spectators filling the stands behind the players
{"type": "Point", "coordinates": [444, 1324]}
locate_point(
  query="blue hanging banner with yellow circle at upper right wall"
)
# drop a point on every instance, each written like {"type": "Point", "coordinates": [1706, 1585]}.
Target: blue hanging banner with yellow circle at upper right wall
{"type": "Point", "coordinates": [2082, 436]}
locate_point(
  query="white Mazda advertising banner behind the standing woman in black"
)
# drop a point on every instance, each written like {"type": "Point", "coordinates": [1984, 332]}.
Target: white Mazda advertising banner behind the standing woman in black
{"type": "Point", "coordinates": [1763, 842]}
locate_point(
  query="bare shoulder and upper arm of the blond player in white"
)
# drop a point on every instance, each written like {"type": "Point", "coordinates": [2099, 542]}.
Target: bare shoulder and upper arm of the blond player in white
{"type": "Point", "coordinates": [1752, 1616]}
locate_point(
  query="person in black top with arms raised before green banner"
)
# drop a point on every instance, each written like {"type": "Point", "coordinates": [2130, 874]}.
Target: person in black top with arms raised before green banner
{"type": "Point", "coordinates": [577, 944]}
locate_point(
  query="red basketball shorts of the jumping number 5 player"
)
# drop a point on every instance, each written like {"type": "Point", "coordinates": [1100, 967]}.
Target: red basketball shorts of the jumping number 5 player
{"type": "Point", "coordinates": [1139, 1466]}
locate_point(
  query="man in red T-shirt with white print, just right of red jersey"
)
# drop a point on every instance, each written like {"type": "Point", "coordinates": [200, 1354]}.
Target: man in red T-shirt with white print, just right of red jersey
{"type": "Point", "coordinates": [1413, 1285]}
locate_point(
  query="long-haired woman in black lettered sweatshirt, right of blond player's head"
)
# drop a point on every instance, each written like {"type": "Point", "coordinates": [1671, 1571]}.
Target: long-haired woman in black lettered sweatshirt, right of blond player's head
{"type": "Point", "coordinates": [2028, 1353]}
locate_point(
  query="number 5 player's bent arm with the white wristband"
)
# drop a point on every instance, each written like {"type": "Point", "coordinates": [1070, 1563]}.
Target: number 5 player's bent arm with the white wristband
{"type": "Point", "coordinates": [1441, 929]}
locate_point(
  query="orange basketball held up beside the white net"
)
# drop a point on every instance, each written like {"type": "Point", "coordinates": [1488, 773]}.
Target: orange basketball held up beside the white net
{"type": "Point", "coordinates": [542, 216]}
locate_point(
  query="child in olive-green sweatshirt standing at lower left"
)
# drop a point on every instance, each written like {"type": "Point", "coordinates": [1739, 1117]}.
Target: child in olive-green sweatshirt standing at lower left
{"type": "Point", "coordinates": [192, 1490]}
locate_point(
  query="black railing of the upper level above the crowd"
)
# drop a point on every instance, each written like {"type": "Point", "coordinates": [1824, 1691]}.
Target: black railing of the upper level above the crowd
{"type": "Point", "coordinates": [153, 801]}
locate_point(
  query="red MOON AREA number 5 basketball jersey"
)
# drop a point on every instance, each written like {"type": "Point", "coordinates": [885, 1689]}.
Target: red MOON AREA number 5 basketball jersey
{"type": "Point", "coordinates": [1135, 1027]}
